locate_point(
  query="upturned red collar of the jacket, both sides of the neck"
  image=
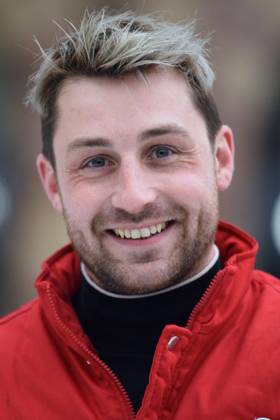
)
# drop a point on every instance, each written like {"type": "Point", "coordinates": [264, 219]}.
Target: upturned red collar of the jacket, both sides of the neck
{"type": "Point", "coordinates": [60, 279]}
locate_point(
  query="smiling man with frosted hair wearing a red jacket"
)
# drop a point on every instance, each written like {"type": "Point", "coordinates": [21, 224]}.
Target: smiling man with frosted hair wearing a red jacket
{"type": "Point", "coordinates": [154, 311]}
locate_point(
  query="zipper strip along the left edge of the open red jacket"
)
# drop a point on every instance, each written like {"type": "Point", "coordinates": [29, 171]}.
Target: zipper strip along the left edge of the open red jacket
{"type": "Point", "coordinates": [92, 355]}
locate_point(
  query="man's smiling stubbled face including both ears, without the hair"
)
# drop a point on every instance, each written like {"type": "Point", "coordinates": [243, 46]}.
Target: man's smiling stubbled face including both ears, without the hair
{"type": "Point", "coordinates": [136, 179]}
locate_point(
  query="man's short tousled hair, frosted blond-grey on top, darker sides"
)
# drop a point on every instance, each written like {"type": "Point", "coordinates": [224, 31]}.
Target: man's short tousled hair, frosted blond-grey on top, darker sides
{"type": "Point", "coordinates": [113, 44]}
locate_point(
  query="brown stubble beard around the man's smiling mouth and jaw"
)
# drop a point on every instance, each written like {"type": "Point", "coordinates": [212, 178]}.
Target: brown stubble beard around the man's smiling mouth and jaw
{"type": "Point", "coordinates": [194, 239]}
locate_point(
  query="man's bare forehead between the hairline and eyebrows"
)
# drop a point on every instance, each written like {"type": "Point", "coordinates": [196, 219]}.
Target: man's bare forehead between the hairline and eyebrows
{"type": "Point", "coordinates": [126, 105]}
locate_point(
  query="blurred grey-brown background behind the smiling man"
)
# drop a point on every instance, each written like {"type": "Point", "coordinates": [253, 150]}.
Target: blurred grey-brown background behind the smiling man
{"type": "Point", "coordinates": [246, 58]}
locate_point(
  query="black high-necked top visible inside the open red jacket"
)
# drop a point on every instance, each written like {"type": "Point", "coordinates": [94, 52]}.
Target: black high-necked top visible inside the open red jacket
{"type": "Point", "coordinates": [125, 332]}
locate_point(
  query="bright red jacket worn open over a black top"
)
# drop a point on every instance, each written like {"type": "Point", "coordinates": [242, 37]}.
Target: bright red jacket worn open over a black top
{"type": "Point", "coordinates": [224, 365]}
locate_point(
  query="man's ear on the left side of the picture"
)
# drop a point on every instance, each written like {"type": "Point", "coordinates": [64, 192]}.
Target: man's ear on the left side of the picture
{"type": "Point", "coordinates": [49, 181]}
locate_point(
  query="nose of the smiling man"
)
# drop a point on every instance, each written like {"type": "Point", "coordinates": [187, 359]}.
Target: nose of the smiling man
{"type": "Point", "coordinates": [134, 188]}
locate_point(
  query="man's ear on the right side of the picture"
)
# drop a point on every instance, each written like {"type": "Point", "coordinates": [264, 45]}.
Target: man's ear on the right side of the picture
{"type": "Point", "coordinates": [224, 157]}
